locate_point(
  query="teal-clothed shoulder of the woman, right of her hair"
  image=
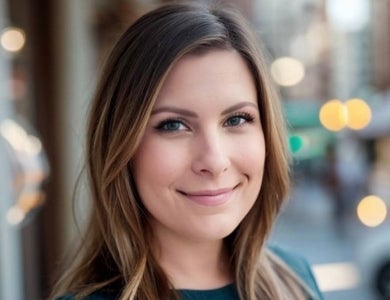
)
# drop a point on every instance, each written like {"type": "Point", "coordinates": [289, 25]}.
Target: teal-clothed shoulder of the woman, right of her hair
{"type": "Point", "coordinates": [300, 266]}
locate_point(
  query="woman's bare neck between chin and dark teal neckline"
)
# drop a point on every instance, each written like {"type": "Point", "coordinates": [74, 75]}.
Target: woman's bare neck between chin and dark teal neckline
{"type": "Point", "coordinates": [195, 264]}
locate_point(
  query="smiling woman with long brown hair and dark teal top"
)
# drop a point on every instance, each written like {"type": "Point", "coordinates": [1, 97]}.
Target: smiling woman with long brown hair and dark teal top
{"type": "Point", "coordinates": [188, 168]}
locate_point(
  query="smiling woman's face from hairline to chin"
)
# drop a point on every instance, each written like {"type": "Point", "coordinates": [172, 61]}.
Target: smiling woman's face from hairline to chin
{"type": "Point", "coordinates": [199, 167]}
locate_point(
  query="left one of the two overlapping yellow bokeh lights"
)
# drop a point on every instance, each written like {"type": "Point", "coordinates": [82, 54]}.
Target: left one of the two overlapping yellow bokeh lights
{"type": "Point", "coordinates": [333, 115]}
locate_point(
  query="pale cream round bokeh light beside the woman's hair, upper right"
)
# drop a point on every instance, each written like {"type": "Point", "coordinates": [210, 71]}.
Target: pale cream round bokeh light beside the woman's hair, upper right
{"type": "Point", "coordinates": [287, 71]}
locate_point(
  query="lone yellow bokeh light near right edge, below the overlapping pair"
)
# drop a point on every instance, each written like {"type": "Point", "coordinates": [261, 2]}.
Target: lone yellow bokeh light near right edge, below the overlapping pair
{"type": "Point", "coordinates": [372, 211]}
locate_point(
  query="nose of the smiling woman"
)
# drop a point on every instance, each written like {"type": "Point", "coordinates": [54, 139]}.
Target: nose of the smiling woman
{"type": "Point", "coordinates": [210, 155]}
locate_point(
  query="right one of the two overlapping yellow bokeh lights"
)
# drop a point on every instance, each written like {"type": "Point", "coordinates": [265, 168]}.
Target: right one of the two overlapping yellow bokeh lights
{"type": "Point", "coordinates": [359, 113]}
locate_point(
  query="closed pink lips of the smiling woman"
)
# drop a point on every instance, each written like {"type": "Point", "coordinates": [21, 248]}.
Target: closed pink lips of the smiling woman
{"type": "Point", "coordinates": [209, 197]}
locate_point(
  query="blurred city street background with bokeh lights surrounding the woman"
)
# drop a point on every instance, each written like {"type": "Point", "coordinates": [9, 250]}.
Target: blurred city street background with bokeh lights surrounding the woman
{"type": "Point", "coordinates": [331, 62]}
